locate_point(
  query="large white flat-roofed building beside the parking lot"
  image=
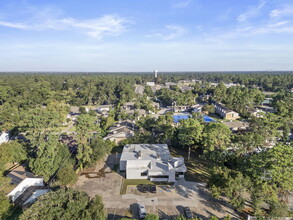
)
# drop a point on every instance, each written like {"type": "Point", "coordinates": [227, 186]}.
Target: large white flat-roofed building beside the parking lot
{"type": "Point", "coordinates": [151, 161]}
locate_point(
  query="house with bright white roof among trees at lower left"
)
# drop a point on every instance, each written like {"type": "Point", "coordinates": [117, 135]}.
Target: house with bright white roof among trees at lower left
{"type": "Point", "coordinates": [27, 187]}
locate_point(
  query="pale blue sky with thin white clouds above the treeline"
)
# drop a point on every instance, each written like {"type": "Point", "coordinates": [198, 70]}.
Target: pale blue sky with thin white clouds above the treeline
{"type": "Point", "coordinates": [143, 35]}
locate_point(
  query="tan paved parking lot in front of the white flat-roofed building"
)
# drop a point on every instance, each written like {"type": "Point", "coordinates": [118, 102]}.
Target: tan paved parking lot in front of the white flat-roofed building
{"type": "Point", "coordinates": [167, 202]}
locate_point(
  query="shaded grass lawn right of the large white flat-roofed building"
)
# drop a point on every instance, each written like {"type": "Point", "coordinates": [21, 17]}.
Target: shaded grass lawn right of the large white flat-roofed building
{"type": "Point", "coordinates": [197, 168]}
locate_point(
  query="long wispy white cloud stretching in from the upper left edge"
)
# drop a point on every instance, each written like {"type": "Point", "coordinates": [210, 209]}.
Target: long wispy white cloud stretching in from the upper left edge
{"type": "Point", "coordinates": [107, 25]}
